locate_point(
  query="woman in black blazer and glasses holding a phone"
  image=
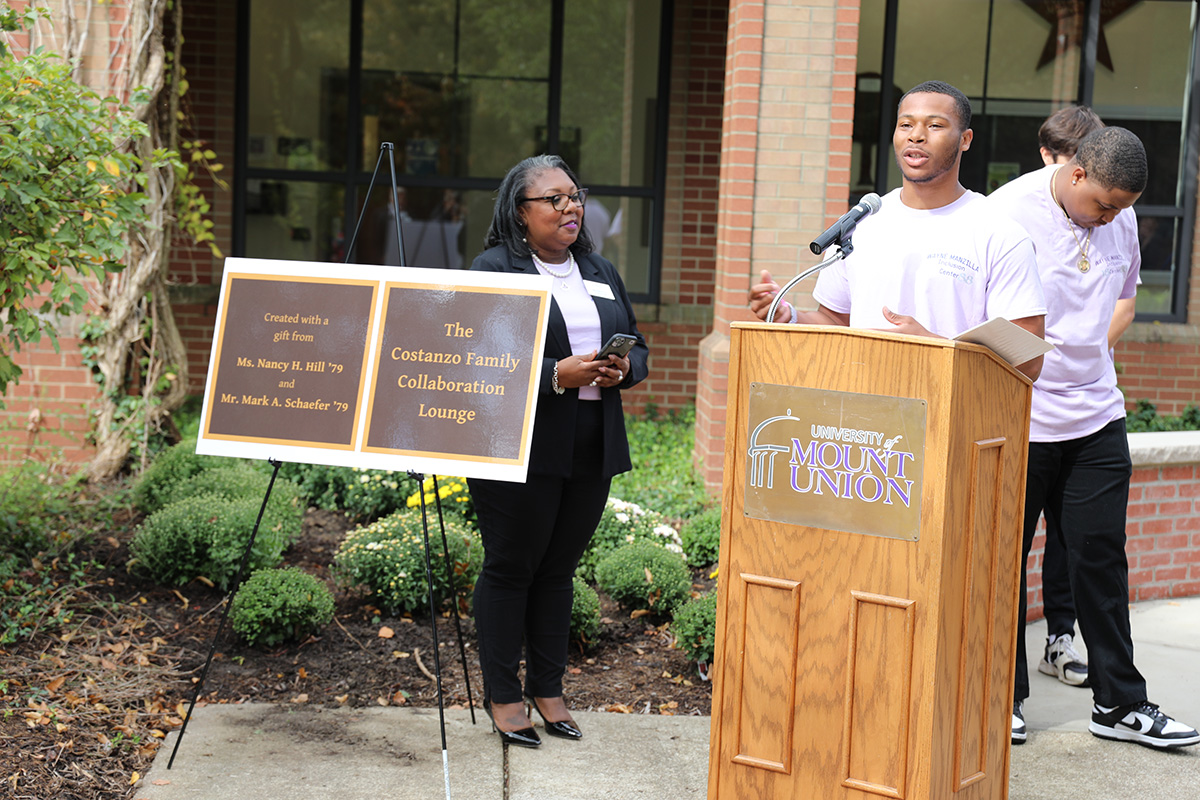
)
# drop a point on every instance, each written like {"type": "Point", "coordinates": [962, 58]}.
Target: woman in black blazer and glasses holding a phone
{"type": "Point", "coordinates": [535, 533]}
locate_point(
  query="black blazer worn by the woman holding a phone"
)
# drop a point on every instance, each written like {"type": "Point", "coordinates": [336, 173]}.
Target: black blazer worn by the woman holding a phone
{"type": "Point", "coordinates": [554, 431]}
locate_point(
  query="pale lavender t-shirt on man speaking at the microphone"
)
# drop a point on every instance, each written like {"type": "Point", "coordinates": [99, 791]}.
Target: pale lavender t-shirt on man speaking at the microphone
{"type": "Point", "coordinates": [951, 268]}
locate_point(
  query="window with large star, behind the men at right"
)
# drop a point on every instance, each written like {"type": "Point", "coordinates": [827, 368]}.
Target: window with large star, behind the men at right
{"type": "Point", "coordinates": [1021, 62]}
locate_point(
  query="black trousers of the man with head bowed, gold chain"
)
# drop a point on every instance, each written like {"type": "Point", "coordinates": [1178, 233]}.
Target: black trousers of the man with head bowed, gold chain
{"type": "Point", "coordinates": [1083, 488]}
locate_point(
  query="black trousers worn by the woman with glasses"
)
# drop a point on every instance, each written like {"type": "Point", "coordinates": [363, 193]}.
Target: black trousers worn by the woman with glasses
{"type": "Point", "coordinates": [535, 534]}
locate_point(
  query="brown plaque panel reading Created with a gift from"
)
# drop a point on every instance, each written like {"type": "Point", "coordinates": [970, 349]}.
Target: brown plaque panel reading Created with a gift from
{"type": "Point", "coordinates": [292, 374]}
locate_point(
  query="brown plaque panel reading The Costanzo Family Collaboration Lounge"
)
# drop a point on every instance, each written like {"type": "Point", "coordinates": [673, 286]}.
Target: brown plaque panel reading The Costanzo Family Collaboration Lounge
{"type": "Point", "coordinates": [453, 372]}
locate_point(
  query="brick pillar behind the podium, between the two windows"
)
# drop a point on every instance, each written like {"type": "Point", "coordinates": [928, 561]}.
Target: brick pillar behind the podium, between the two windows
{"type": "Point", "coordinates": [785, 170]}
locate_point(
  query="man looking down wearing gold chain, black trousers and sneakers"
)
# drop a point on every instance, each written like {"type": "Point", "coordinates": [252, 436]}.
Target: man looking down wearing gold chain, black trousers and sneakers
{"type": "Point", "coordinates": [1079, 470]}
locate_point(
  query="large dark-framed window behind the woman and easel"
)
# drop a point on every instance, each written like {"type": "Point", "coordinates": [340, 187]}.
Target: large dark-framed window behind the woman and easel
{"type": "Point", "coordinates": [464, 91]}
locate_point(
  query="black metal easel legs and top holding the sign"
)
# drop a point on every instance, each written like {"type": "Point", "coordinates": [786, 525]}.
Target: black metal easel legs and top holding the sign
{"type": "Point", "coordinates": [387, 147]}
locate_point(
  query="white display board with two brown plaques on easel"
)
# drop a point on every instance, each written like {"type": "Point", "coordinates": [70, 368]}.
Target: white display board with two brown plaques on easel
{"type": "Point", "coordinates": [398, 369]}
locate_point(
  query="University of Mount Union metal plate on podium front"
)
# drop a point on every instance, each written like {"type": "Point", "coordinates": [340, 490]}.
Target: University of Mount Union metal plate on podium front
{"type": "Point", "coordinates": [838, 461]}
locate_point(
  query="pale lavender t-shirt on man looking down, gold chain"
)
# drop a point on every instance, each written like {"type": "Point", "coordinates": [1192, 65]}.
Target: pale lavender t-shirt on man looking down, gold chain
{"type": "Point", "coordinates": [1077, 394]}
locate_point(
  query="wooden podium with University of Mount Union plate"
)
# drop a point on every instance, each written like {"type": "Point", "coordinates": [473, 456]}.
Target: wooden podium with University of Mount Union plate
{"type": "Point", "coordinates": [869, 572]}
